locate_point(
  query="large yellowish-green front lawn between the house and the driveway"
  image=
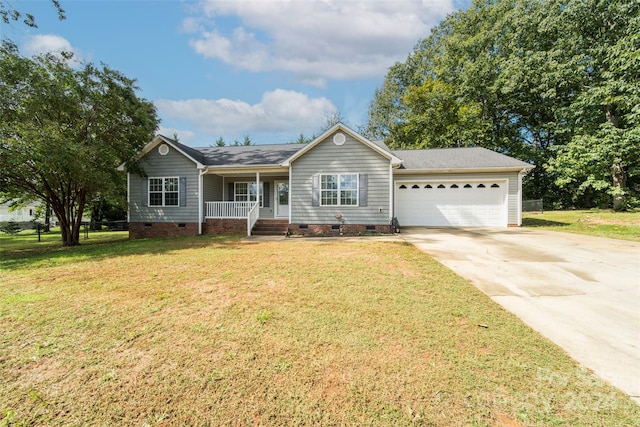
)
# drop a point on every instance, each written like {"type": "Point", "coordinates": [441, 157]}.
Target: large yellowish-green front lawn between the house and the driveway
{"type": "Point", "coordinates": [223, 331]}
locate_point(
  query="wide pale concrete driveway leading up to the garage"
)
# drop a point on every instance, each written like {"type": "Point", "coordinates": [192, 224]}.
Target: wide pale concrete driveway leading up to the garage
{"type": "Point", "coordinates": [581, 292]}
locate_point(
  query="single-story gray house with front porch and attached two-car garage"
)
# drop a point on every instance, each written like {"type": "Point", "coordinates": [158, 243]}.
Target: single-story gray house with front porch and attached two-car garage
{"type": "Point", "coordinates": [339, 183]}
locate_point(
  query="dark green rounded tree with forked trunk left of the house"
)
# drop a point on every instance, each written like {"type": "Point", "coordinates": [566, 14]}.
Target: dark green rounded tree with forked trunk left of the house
{"type": "Point", "coordinates": [64, 131]}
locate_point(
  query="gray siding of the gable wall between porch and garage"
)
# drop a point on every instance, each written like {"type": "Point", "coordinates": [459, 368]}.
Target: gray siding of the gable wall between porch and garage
{"type": "Point", "coordinates": [328, 158]}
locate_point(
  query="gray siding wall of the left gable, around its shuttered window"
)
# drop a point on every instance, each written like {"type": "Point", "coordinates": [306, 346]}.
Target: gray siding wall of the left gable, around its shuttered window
{"type": "Point", "coordinates": [173, 164]}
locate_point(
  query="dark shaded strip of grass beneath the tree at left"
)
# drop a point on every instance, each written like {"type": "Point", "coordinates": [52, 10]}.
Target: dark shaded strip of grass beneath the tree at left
{"type": "Point", "coordinates": [94, 251]}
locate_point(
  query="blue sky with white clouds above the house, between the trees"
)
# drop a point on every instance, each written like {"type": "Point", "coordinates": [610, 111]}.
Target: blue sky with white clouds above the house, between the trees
{"type": "Point", "coordinates": [270, 70]}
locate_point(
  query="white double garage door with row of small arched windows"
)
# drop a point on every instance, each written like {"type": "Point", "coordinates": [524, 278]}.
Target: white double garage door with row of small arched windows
{"type": "Point", "coordinates": [460, 203]}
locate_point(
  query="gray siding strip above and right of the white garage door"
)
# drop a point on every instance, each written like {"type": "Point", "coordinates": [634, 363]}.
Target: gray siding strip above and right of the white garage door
{"type": "Point", "coordinates": [513, 196]}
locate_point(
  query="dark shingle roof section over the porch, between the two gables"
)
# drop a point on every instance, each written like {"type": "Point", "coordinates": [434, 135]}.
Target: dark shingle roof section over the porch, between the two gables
{"type": "Point", "coordinates": [249, 155]}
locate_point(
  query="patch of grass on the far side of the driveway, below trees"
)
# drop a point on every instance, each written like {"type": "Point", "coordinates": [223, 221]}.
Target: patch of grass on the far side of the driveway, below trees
{"type": "Point", "coordinates": [595, 222]}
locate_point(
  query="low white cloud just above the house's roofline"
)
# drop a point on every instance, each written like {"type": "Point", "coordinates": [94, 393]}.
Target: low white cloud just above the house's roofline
{"type": "Point", "coordinates": [279, 112]}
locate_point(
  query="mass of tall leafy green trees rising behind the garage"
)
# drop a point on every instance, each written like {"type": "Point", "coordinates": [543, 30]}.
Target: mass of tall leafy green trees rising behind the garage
{"type": "Point", "coordinates": [535, 79]}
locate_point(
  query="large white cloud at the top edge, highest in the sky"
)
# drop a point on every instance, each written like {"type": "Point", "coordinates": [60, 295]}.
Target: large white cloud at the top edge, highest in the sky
{"type": "Point", "coordinates": [315, 40]}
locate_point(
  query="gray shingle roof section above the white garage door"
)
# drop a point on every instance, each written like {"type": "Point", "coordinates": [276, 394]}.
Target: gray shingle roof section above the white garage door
{"type": "Point", "coordinates": [456, 158]}
